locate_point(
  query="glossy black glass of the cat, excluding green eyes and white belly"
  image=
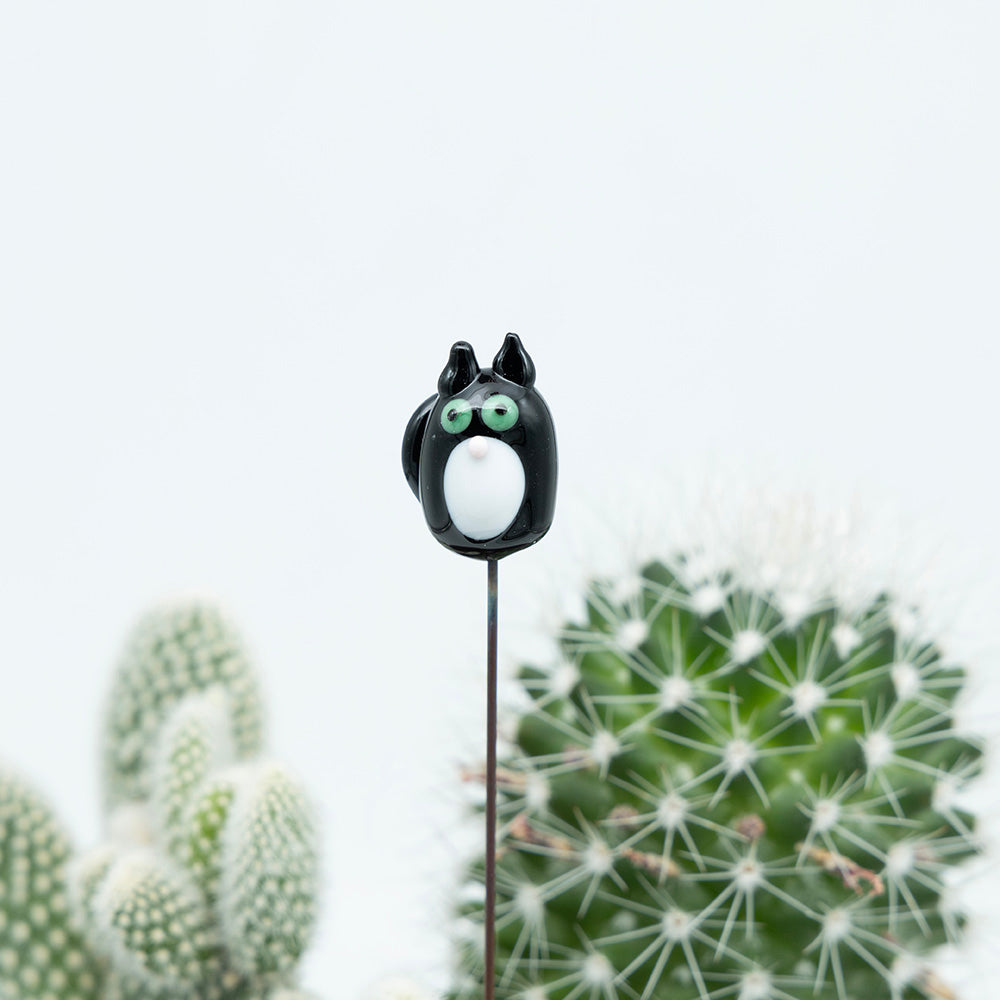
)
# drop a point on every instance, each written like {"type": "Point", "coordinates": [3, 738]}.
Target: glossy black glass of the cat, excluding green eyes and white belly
{"type": "Point", "coordinates": [427, 446]}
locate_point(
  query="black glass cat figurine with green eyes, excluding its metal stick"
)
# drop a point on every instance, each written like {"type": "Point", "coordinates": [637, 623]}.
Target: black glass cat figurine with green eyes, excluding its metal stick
{"type": "Point", "coordinates": [480, 456]}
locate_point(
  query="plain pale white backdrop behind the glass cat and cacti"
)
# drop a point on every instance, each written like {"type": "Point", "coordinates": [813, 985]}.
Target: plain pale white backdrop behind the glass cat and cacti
{"type": "Point", "coordinates": [237, 240]}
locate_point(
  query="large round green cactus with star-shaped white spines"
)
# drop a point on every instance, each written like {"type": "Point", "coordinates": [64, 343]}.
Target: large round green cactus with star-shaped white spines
{"type": "Point", "coordinates": [722, 792]}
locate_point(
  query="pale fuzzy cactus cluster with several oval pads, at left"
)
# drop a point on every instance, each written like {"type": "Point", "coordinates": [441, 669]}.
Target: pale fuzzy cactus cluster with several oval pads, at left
{"type": "Point", "coordinates": [205, 888]}
